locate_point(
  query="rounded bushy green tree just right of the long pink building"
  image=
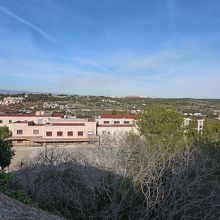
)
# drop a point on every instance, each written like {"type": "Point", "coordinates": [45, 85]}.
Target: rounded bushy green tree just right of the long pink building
{"type": "Point", "coordinates": [162, 126]}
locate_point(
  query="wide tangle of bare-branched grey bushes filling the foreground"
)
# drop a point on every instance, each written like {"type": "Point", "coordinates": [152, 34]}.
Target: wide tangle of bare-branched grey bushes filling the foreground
{"type": "Point", "coordinates": [144, 182]}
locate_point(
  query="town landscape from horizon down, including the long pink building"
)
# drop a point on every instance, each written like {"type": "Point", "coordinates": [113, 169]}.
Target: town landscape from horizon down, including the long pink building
{"type": "Point", "coordinates": [44, 119]}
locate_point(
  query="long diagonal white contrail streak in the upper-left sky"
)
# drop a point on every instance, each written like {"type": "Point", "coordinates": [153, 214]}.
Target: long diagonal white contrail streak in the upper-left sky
{"type": "Point", "coordinates": [27, 23]}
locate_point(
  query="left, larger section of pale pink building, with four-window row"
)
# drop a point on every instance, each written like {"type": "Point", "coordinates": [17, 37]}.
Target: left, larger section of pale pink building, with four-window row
{"type": "Point", "coordinates": [41, 128]}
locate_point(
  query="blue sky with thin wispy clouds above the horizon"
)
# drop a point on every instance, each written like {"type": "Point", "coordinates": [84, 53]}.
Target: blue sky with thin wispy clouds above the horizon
{"type": "Point", "coordinates": [156, 48]}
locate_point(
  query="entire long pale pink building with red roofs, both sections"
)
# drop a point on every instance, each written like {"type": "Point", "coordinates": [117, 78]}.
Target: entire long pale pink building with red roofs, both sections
{"type": "Point", "coordinates": [41, 129]}
